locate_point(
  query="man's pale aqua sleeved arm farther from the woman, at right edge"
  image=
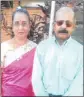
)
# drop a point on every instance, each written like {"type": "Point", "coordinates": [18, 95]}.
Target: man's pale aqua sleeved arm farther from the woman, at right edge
{"type": "Point", "coordinates": [76, 88]}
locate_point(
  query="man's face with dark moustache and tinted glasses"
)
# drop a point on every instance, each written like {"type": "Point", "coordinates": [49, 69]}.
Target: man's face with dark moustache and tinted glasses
{"type": "Point", "coordinates": [64, 25]}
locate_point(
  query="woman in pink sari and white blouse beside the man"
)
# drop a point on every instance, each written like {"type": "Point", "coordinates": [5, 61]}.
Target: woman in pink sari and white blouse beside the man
{"type": "Point", "coordinates": [17, 57]}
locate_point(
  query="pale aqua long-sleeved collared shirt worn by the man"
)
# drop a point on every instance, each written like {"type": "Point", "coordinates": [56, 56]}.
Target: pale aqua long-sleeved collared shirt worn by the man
{"type": "Point", "coordinates": [58, 69]}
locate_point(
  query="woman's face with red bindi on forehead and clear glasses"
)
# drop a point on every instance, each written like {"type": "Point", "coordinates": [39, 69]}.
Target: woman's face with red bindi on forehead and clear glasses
{"type": "Point", "coordinates": [21, 25]}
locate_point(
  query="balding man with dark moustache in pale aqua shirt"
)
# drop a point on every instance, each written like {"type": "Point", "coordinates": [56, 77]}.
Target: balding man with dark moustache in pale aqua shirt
{"type": "Point", "coordinates": [58, 62]}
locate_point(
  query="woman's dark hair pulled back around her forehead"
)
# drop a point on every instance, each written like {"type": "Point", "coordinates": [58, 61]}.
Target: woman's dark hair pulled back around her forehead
{"type": "Point", "coordinates": [21, 10]}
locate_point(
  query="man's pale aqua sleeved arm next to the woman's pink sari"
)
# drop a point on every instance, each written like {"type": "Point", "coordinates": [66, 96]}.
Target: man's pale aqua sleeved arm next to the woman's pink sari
{"type": "Point", "coordinates": [37, 74]}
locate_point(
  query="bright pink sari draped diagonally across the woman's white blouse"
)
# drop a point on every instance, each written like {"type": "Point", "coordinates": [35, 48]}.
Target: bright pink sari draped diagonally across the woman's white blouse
{"type": "Point", "coordinates": [16, 76]}
